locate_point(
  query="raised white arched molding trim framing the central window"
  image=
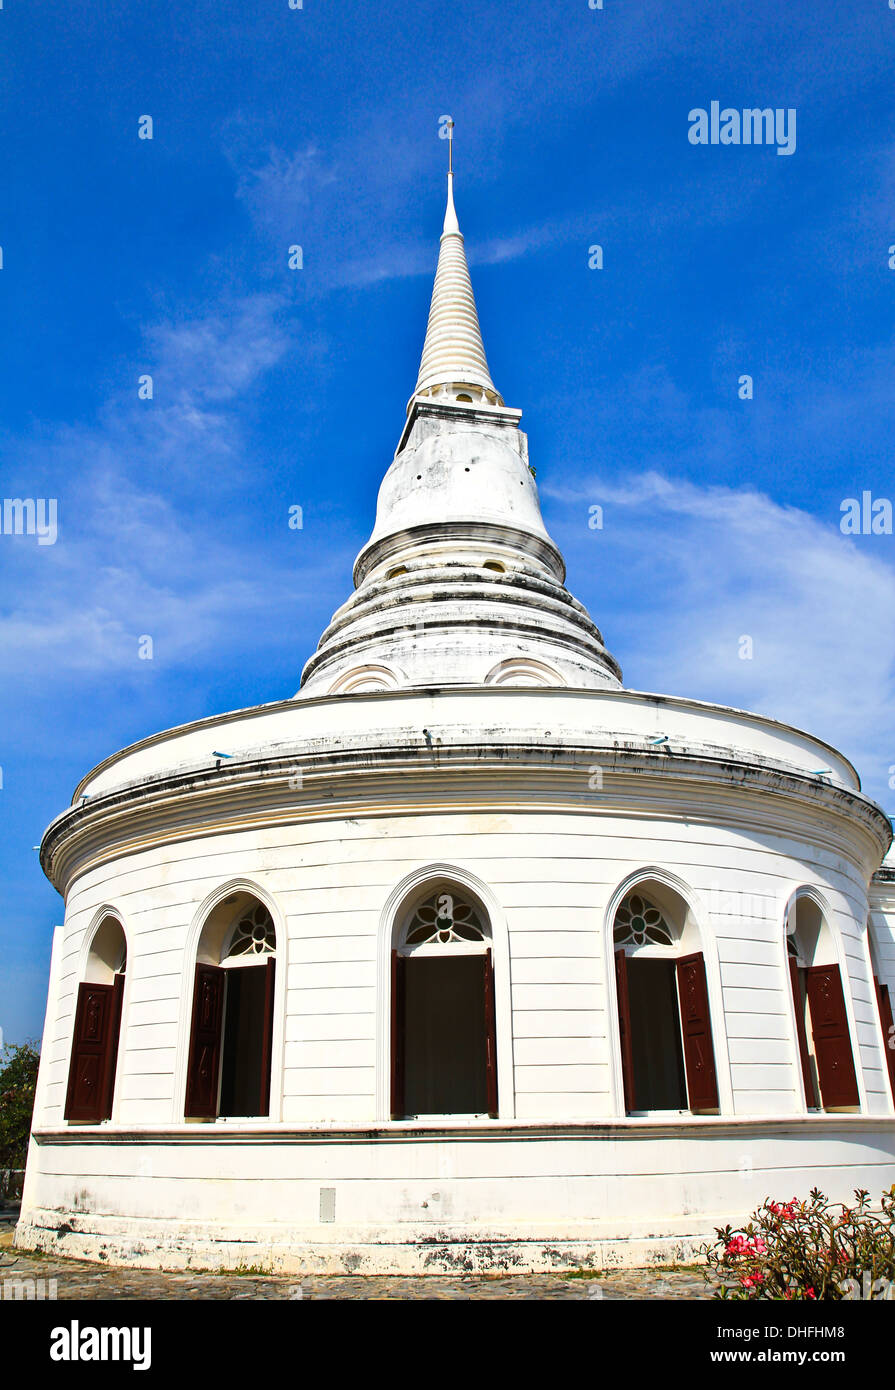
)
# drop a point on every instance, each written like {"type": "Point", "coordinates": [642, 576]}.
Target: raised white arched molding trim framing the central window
{"type": "Point", "coordinates": [391, 918]}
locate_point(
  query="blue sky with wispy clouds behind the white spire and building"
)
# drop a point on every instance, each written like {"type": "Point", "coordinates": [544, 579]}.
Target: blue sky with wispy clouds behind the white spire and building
{"type": "Point", "coordinates": [273, 389]}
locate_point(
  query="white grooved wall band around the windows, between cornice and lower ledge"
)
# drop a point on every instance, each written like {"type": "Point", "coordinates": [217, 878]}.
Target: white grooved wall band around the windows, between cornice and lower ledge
{"type": "Point", "coordinates": [552, 878]}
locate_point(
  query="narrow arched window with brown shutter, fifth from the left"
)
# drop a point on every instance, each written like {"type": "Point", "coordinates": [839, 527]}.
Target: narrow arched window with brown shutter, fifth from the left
{"type": "Point", "coordinates": [821, 1017]}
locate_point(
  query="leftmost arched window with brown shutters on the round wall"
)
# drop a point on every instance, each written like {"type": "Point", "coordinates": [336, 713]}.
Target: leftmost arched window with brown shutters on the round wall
{"type": "Point", "coordinates": [98, 1028]}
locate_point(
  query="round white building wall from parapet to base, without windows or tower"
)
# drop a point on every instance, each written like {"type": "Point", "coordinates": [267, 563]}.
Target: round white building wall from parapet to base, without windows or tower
{"type": "Point", "coordinates": [505, 800]}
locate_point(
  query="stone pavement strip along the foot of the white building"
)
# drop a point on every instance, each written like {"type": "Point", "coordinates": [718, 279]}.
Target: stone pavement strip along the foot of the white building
{"type": "Point", "coordinates": [80, 1279]}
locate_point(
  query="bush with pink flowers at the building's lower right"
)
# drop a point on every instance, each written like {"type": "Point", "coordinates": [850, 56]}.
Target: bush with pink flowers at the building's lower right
{"type": "Point", "coordinates": [808, 1250]}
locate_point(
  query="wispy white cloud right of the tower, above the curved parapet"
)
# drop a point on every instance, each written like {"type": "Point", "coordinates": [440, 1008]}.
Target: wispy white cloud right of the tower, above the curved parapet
{"type": "Point", "coordinates": [682, 573]}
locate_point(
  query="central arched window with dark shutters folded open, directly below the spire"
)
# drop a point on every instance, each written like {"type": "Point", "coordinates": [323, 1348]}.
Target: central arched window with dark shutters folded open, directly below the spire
{"type": "Point", "coordinates": [444, 1047]}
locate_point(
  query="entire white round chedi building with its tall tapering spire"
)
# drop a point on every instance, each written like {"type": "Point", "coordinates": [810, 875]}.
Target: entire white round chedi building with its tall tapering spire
{"type": "Point", "coordinates": [466, 956]}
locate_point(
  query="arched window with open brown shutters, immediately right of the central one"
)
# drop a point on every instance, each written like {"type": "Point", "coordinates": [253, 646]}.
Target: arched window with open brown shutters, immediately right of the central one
{"type": "Point", "coordinates": [665, 1027]}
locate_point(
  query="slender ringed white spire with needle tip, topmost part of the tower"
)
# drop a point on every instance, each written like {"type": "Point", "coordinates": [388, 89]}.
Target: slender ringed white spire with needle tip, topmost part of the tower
{"type": "Point", "coordinates": [454, 357]}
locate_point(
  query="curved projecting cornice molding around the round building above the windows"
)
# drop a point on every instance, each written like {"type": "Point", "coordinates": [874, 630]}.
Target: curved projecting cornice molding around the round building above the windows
{"type": "Point", "coordinates": [379, 779]}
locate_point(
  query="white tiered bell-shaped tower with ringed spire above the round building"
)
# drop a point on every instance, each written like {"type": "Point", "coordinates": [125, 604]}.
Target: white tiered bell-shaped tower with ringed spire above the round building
{"type": "Point", "coordinates": [461, 583]}
